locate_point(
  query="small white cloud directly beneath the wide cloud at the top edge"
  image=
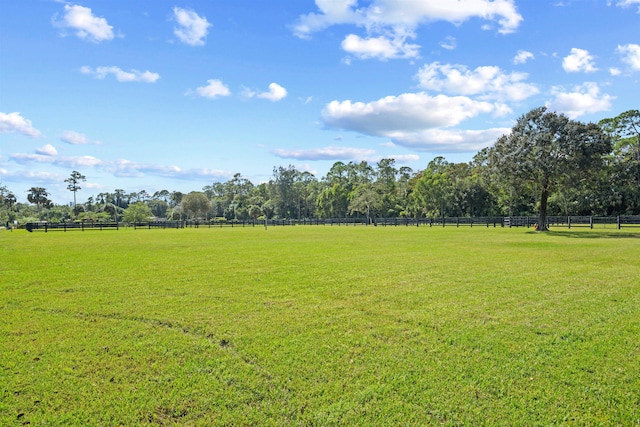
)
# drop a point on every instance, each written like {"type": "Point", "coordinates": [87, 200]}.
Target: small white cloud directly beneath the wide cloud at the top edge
{"type": "Point", "coordinates": [381, 47]}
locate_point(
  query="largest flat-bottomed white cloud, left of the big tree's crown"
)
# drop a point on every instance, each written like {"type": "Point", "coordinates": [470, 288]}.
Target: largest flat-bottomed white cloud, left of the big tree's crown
{"type": "Point", "coordinates": [416, 120]}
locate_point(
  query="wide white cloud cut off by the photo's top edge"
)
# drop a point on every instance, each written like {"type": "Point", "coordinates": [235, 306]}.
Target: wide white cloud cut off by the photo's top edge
{"type": "Point", "coordinates": [404, 16]}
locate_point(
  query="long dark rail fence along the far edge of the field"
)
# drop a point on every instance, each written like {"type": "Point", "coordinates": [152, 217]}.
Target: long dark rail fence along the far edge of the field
{"type": "Point", "coordinates": [618, 222]}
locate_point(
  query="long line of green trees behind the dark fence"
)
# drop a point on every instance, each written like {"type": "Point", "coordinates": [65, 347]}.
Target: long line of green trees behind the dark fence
{"type": "Point", "coordinates": [547, 165]}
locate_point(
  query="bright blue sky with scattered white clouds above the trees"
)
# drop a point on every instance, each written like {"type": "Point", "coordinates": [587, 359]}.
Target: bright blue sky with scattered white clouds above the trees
{"type": "Point", "coordinates": [151, 94]}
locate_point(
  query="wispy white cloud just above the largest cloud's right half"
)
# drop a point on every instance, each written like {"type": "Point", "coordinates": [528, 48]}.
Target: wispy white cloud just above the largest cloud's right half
{"type": "Point", "coordinates": [490, 82]}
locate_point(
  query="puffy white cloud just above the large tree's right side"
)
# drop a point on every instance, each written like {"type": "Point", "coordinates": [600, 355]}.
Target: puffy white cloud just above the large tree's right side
{"type": "Point", "coordinates": [583, 99]}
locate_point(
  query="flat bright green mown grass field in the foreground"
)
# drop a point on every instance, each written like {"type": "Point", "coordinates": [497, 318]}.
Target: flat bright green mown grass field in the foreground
{"type": "Point", "coordinates": [320, 326]}
